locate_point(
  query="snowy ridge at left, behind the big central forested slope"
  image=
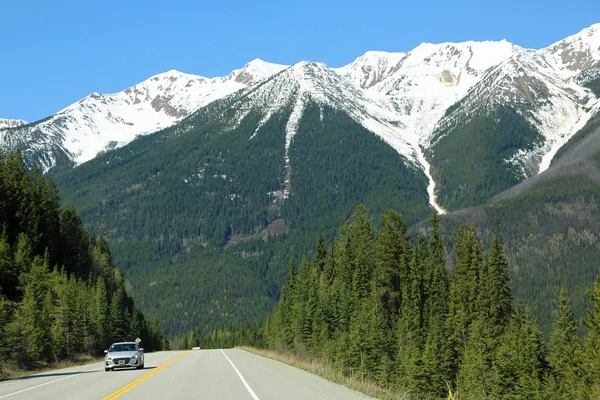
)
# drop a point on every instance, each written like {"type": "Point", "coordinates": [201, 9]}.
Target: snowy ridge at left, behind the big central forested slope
{"type": "Point", "coordinates": [99, 122]}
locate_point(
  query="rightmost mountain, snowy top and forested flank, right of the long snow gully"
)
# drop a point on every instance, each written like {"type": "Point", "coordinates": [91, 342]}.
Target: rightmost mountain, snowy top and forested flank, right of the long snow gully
{"type": "Point", "coordinates": [522, 110]}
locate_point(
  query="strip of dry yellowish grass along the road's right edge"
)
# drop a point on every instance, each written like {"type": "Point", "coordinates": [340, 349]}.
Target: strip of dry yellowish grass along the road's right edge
{"type": "Point", "coordinates": [327, 371]}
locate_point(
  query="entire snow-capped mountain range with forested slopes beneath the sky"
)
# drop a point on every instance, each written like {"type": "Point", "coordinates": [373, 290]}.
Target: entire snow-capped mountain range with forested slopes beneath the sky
{"type": "Point", "coordinates": [193, 178]}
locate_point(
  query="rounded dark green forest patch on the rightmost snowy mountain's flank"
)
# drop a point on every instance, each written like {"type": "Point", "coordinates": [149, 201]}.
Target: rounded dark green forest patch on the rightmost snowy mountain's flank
{"type": "Point", "coordinates": [469, 159]}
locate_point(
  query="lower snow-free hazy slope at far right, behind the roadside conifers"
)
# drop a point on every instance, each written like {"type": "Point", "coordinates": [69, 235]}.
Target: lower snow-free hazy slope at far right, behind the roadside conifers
{"type": "Point", "coordinates": [548, 225]}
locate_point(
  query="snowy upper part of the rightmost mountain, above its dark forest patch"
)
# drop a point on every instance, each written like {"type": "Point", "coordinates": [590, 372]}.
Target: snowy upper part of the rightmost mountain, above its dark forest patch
{"type": "Point", "coordinates": [547, 87]}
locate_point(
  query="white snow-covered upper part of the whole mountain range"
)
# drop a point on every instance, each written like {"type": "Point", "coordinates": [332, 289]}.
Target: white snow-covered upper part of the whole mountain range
{"type": "Point", "coordinates": [409, 99]}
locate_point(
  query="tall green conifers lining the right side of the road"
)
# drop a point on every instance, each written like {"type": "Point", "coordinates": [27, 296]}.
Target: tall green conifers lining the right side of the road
{"type": "Point", "coordinates": [376, 305]}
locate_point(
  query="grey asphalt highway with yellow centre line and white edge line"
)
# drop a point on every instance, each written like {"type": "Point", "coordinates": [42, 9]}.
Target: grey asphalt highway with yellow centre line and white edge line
{"type": "Point", "coordinates": [200, 374]}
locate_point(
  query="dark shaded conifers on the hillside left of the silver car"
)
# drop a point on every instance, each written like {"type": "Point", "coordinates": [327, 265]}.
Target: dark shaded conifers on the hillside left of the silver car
{"type": "Point", "coordinates": [60, 293]}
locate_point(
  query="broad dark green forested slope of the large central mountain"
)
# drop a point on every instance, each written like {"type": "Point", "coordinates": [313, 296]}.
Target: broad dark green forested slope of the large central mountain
{"type": "Point", "coordinates": [198, 215]}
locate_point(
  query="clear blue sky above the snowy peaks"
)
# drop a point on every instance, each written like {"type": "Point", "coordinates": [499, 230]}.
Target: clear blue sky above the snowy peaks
{"type": "Point", "coordinates": [53, 53]}
